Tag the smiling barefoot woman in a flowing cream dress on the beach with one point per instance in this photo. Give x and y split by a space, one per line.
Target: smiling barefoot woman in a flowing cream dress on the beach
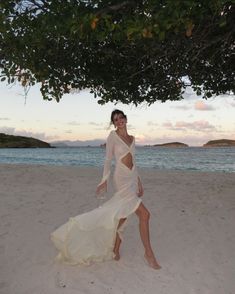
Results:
96 235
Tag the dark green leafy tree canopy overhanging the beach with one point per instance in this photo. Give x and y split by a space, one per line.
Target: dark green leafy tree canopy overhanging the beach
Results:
127 51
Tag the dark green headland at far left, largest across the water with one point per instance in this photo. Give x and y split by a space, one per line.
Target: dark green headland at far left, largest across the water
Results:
10 141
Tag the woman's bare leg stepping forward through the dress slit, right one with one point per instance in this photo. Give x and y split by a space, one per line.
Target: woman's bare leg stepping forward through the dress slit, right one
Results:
144 216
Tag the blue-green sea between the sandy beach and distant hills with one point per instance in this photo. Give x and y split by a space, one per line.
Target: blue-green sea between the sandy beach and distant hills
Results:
191 158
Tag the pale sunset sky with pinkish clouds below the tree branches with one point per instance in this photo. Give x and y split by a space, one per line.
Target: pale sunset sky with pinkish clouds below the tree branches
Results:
78 116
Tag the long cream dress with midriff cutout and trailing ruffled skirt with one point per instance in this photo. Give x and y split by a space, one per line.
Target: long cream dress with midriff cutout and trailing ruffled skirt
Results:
90 237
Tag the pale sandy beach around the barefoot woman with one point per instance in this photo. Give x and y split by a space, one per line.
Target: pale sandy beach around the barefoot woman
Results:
192 232
